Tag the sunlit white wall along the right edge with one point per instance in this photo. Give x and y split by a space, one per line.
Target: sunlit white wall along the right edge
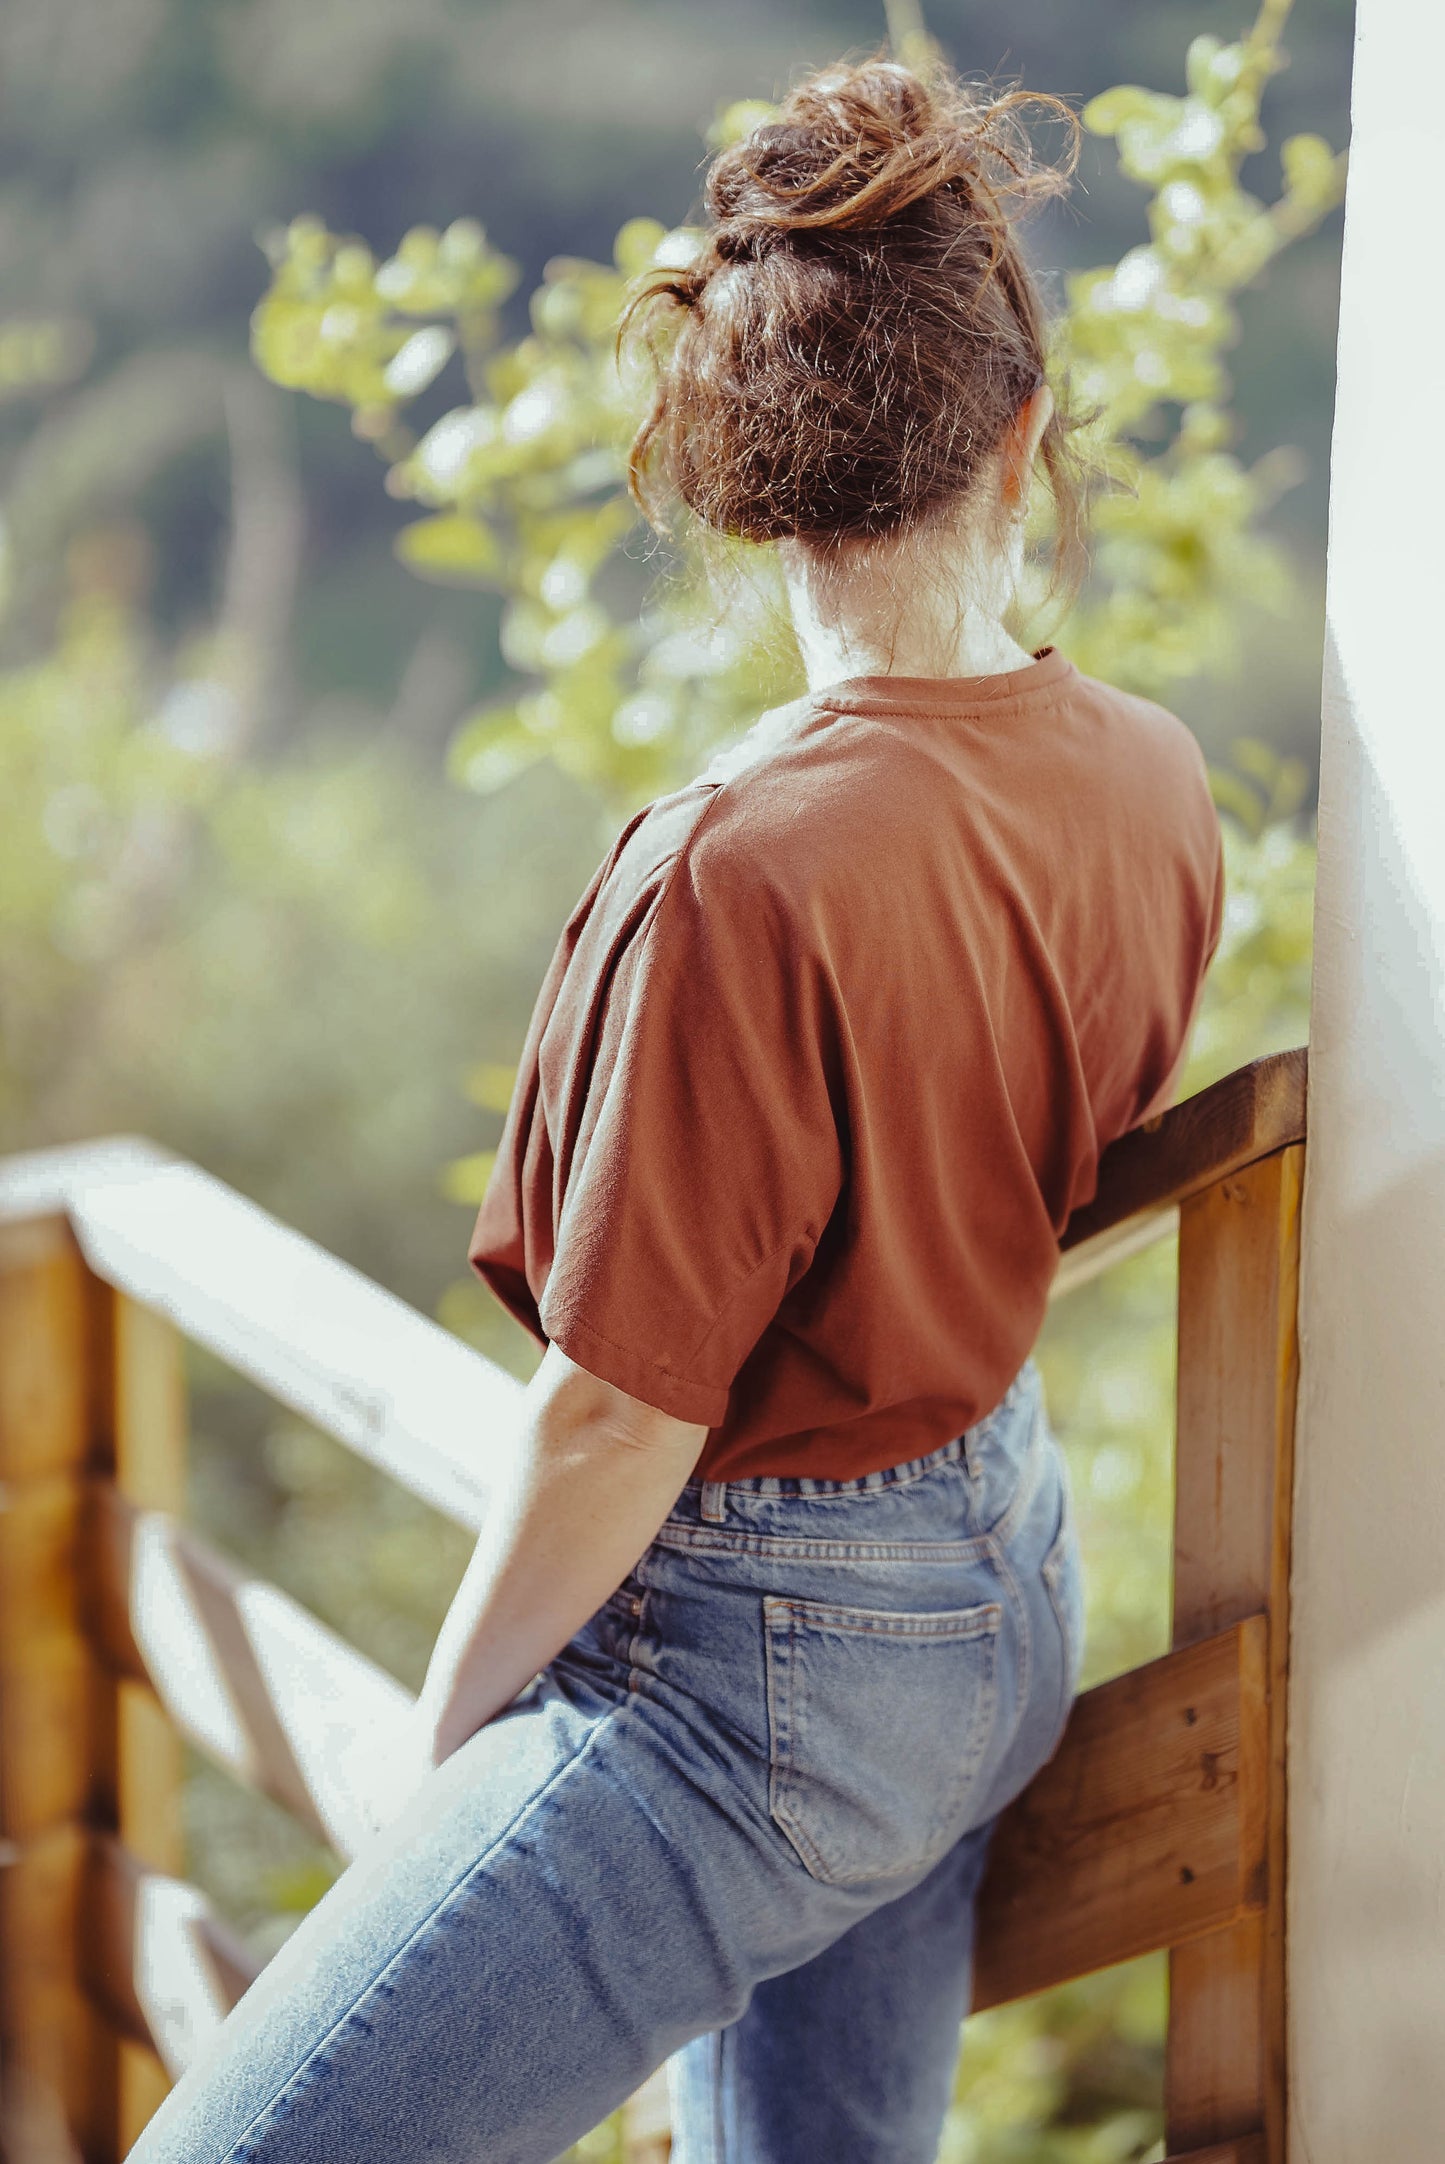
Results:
1368 1661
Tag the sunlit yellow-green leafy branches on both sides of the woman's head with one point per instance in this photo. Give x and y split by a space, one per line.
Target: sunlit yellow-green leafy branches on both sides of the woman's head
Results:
525 481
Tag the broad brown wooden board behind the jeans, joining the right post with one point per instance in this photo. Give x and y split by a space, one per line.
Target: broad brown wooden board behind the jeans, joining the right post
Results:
1143 1830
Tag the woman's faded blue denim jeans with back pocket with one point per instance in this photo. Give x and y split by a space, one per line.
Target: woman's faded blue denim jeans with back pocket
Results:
737 1825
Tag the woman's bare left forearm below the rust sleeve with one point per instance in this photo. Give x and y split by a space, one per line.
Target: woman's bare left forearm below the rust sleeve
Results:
587 1483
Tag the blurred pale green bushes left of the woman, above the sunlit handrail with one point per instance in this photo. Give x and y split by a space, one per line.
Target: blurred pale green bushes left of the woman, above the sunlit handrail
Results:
278 966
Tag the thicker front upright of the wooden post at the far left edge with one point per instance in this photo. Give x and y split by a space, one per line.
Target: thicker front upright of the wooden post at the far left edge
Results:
57 1704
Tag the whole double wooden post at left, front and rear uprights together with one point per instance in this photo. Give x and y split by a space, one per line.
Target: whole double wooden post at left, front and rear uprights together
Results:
90 1390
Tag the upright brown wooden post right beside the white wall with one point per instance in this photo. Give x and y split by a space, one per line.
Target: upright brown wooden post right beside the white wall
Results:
1238 1362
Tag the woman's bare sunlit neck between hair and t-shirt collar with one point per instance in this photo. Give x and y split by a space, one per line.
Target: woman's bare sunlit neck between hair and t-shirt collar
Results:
901 613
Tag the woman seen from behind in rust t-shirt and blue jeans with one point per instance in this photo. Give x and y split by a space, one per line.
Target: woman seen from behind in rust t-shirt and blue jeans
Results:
780 1598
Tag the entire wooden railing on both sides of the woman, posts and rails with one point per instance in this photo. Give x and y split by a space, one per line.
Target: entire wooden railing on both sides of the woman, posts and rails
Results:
1156 1825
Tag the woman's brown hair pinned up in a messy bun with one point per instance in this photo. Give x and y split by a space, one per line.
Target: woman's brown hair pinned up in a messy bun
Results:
860 328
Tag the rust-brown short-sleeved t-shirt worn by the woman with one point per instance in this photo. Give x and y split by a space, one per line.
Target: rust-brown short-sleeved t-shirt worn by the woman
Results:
830 1051
